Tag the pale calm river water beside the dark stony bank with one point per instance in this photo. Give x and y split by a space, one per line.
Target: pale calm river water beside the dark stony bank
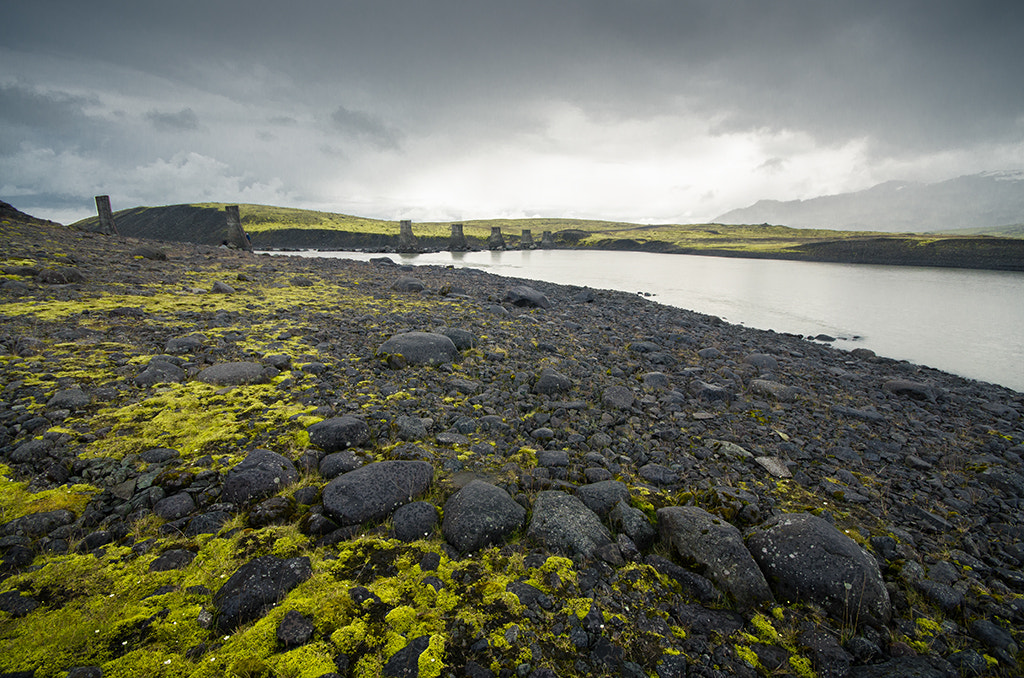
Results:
969 323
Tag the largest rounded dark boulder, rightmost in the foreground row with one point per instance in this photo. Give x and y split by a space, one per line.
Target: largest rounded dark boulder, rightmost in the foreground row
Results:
807 559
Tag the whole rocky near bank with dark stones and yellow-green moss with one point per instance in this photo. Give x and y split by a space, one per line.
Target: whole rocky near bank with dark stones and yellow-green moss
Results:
215 463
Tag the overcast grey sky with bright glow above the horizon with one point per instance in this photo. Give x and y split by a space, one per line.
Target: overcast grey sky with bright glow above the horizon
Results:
671 111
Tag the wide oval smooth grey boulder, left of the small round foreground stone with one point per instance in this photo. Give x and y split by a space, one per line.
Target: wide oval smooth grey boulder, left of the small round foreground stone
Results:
374 491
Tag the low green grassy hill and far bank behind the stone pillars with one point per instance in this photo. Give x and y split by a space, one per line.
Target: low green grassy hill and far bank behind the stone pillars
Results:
282 228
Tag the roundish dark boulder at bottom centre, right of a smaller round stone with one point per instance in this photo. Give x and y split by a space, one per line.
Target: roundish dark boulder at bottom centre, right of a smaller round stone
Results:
481 515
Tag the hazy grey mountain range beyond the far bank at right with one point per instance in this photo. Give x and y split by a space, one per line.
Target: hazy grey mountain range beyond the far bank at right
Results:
990 203
